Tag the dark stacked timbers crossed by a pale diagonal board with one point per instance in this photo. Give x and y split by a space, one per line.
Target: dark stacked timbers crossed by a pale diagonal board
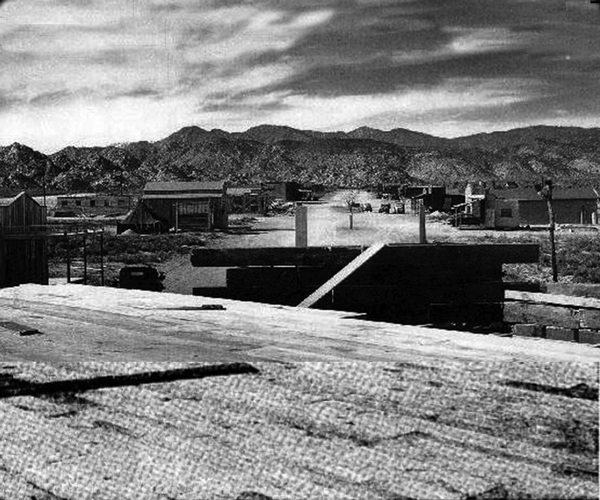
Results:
411 284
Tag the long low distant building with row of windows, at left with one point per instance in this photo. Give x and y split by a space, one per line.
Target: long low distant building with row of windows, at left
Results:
91 204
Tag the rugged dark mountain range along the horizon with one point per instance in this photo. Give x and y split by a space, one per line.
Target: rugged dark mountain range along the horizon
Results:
363 157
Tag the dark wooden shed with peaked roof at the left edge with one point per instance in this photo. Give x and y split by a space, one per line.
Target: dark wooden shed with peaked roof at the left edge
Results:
23 244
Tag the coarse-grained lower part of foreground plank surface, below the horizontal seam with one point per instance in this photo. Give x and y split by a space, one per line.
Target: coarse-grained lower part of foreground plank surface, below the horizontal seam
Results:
422 429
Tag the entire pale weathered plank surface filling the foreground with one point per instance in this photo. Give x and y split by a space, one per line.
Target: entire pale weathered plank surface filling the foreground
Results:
341 408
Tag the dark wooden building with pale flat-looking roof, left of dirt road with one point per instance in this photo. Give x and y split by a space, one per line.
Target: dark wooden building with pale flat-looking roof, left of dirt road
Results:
188 206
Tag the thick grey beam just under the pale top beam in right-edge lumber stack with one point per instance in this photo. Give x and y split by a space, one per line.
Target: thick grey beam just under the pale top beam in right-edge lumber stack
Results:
542 314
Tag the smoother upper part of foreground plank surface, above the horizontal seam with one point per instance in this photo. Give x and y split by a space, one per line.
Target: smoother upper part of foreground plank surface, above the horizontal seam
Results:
81 323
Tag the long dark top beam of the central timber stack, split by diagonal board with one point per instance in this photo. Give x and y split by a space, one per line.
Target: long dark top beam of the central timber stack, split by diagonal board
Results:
392 253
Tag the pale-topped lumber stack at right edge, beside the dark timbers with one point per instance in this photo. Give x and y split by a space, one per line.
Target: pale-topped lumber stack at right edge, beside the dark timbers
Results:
553 316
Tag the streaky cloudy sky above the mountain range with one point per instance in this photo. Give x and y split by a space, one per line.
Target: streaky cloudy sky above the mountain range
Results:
94 72
